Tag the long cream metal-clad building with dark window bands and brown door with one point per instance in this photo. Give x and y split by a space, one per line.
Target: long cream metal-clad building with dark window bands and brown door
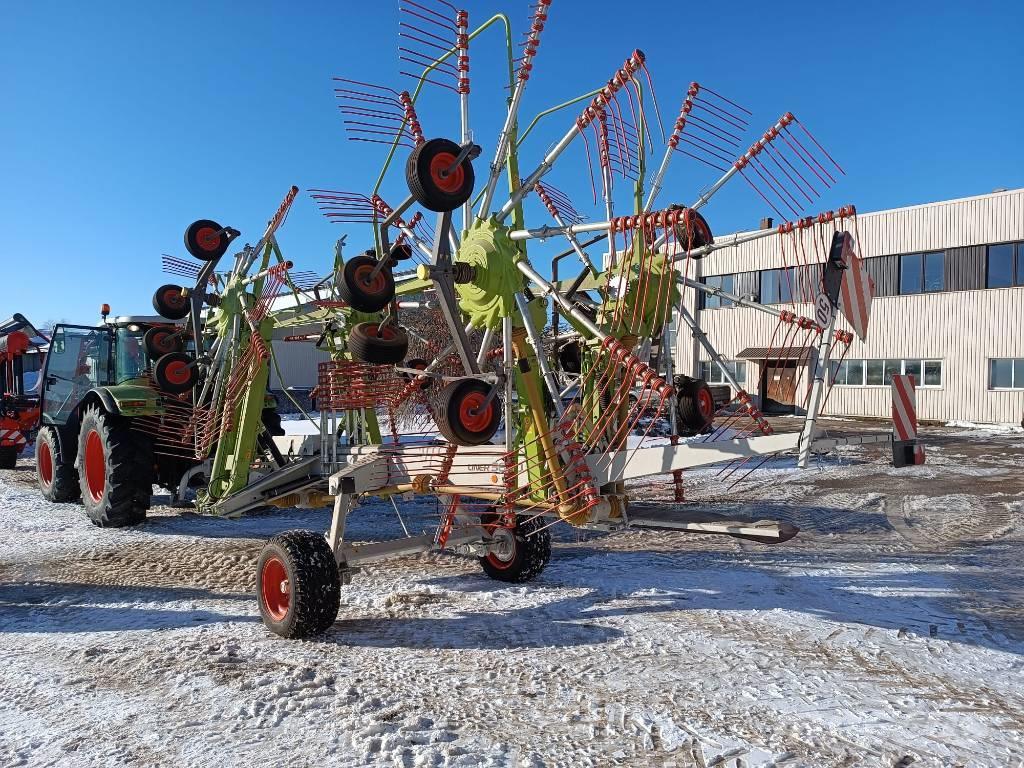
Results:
950 300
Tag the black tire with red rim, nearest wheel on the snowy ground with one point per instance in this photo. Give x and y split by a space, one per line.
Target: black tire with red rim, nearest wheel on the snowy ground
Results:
314 583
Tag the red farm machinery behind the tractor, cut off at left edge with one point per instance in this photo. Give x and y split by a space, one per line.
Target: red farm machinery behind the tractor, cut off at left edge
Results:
19 408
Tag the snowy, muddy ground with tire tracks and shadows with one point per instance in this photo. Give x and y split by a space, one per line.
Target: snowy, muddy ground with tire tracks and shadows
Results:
890 632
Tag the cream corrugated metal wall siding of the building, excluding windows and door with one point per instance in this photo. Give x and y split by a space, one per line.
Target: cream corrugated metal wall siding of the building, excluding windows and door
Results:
962 327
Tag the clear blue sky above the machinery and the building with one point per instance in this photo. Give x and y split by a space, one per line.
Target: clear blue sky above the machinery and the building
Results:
124 122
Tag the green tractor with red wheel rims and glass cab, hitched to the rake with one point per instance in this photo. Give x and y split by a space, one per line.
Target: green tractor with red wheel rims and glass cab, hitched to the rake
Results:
95 387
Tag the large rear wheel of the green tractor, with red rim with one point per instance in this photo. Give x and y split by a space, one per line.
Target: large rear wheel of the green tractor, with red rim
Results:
117 490
